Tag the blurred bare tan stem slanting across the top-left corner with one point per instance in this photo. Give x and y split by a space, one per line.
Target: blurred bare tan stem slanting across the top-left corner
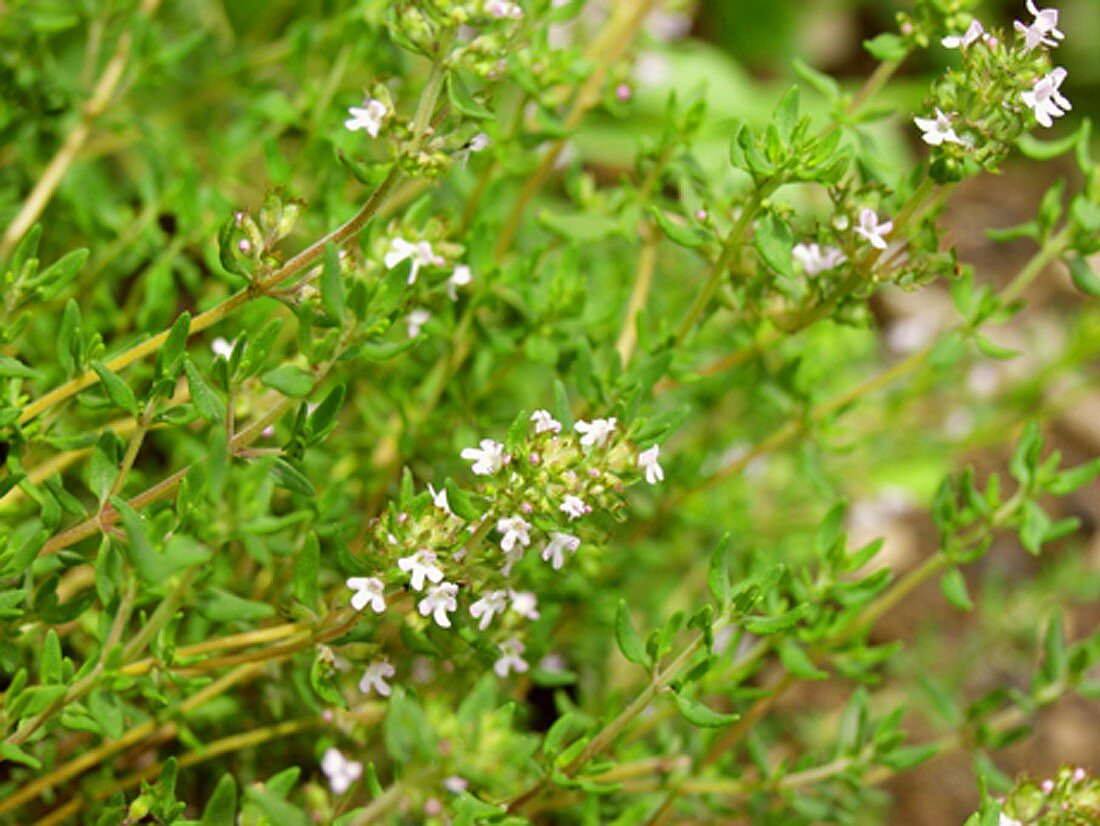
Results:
75 140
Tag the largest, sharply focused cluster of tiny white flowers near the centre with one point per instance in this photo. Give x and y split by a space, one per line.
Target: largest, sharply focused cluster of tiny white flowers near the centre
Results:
567 478
